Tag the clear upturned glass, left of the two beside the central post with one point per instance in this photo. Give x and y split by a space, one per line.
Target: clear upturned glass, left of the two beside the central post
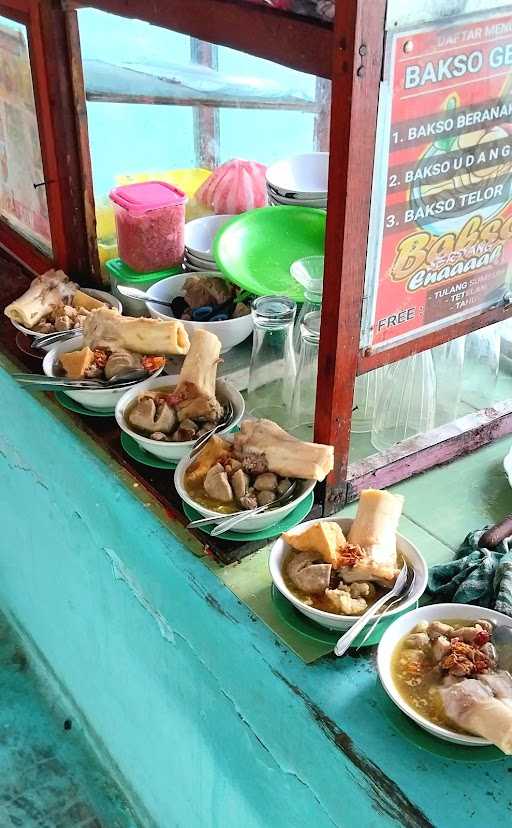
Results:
273 368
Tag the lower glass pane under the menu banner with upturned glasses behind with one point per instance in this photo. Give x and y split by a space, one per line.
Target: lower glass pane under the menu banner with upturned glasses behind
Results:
433 389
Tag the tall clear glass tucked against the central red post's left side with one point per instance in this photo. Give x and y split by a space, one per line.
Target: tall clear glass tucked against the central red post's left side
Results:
304 392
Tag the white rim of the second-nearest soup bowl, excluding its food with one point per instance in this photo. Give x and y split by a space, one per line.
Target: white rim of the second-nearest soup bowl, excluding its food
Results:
332 620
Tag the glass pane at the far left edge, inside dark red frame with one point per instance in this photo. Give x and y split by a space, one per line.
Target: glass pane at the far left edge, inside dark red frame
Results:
22 204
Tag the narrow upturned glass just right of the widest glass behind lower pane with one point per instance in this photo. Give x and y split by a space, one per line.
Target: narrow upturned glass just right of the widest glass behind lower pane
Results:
449 367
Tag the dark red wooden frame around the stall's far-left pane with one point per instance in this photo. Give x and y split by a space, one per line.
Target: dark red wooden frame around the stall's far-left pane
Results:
62 173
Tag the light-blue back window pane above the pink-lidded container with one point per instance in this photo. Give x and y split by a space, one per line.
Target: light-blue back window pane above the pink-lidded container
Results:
163 105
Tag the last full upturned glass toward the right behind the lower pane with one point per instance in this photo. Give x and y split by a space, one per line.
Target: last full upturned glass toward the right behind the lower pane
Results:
481 366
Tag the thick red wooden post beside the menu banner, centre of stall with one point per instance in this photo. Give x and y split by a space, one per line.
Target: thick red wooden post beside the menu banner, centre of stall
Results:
356 73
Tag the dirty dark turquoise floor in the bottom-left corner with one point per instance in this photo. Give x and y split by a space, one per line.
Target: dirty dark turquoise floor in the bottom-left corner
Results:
48 777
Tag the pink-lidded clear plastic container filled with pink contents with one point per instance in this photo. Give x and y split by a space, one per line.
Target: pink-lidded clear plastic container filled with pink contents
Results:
150 223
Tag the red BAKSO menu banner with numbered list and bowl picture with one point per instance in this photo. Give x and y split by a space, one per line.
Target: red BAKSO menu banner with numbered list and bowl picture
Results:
445 233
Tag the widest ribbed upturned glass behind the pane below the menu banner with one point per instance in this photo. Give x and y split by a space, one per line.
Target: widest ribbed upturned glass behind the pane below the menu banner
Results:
406 402
